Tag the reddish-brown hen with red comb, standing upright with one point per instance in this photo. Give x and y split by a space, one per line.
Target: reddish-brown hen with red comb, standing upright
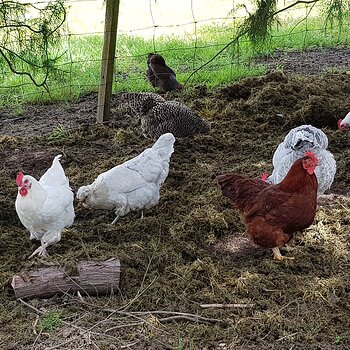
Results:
273 213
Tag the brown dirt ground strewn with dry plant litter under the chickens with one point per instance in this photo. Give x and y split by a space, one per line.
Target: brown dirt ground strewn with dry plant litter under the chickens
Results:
191 248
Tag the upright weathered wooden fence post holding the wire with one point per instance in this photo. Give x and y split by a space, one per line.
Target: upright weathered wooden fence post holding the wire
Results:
108 54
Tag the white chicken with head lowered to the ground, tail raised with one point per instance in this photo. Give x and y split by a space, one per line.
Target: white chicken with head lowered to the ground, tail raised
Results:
133 185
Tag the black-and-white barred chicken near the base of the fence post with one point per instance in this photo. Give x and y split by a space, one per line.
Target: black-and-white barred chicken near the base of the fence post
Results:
159 116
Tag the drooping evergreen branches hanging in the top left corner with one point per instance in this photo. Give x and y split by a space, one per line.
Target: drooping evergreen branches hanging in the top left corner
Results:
29 36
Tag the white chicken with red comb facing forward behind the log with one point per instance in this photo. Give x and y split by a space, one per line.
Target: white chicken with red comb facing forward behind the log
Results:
45 207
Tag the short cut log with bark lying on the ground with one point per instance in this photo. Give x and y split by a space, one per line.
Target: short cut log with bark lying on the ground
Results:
93 278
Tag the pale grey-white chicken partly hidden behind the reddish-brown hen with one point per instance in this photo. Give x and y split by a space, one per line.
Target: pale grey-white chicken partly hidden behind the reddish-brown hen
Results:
299 140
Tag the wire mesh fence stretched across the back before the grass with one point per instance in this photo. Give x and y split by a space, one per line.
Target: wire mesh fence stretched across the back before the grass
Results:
188 34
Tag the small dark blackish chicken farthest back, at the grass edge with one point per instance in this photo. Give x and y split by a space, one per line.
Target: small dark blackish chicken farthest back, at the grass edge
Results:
160 75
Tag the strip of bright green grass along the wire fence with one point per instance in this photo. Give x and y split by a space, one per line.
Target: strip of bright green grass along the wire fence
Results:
79 66
